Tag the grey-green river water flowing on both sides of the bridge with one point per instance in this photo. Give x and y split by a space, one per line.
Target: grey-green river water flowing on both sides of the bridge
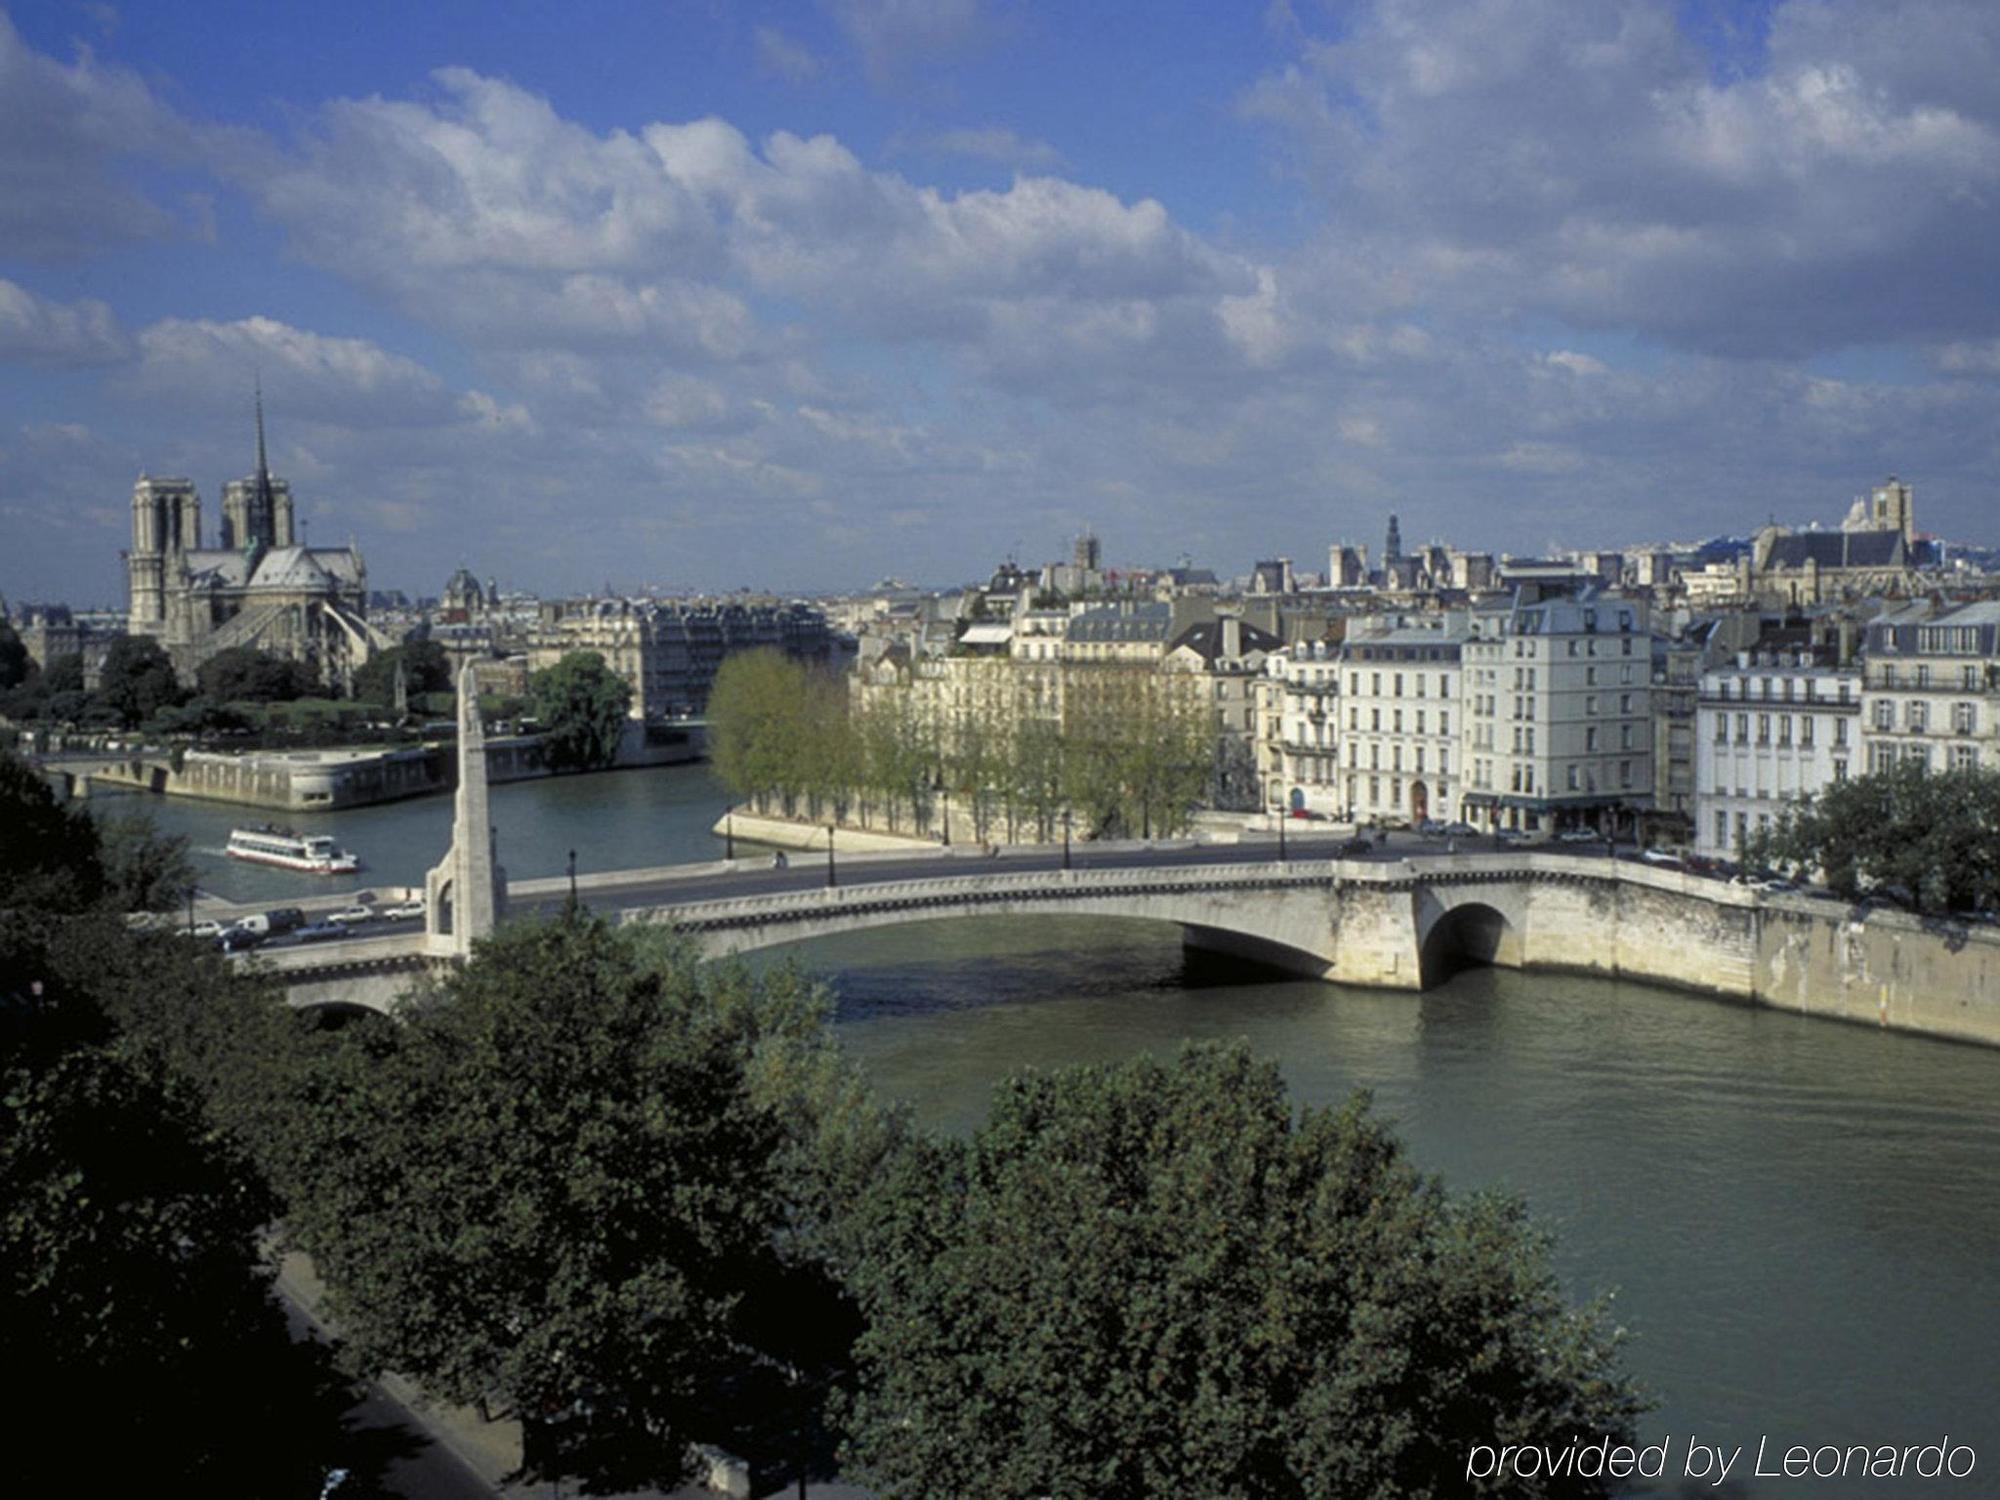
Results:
1801 1221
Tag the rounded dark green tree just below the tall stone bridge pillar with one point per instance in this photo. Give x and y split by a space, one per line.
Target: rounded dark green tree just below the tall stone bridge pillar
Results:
563 1187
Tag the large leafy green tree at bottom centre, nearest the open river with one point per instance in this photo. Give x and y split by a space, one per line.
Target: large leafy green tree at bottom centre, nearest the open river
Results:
1153 1281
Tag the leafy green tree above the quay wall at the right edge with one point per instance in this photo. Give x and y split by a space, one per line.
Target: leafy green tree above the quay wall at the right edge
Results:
1935 837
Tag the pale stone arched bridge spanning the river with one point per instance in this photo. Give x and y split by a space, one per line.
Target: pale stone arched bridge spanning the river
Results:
1379 923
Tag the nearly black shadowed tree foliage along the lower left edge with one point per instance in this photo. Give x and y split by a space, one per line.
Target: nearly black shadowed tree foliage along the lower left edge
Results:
131 1277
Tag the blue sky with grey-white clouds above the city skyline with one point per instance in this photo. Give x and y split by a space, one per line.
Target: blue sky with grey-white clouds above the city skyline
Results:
689 295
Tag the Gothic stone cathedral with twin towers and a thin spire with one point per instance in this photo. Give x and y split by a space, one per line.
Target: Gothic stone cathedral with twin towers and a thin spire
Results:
257 589
